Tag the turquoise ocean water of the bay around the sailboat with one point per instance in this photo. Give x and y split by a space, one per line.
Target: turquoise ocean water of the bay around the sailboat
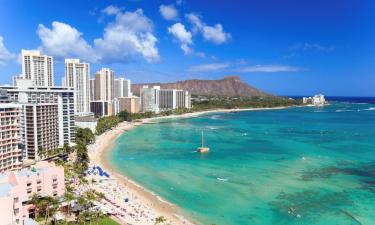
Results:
294 166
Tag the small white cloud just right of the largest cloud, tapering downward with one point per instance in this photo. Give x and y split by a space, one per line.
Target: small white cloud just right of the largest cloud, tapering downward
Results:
183 36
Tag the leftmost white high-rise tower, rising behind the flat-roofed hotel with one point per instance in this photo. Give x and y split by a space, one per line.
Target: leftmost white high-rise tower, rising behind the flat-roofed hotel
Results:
37 68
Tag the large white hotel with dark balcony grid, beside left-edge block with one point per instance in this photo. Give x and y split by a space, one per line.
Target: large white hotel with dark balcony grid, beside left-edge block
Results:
47 117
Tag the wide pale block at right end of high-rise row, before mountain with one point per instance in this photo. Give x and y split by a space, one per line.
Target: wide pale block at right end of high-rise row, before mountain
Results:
174 99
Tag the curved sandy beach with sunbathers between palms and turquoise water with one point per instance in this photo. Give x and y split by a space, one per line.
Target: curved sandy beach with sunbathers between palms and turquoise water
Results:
132 203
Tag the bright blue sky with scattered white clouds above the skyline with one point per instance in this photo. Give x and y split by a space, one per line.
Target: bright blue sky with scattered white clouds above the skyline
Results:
289 47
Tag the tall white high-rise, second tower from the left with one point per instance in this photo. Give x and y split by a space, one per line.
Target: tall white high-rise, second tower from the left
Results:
77 75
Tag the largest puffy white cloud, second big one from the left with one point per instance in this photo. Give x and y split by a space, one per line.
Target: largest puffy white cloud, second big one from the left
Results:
129 36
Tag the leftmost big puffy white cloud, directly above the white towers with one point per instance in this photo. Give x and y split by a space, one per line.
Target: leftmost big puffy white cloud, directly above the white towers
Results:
63 41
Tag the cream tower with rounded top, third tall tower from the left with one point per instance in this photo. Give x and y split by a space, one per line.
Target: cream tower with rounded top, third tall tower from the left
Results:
104 82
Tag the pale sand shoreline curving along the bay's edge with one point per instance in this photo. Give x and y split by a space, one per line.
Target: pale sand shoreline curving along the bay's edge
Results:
149 204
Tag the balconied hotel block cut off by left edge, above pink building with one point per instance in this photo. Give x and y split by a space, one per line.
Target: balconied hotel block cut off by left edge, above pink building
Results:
10 153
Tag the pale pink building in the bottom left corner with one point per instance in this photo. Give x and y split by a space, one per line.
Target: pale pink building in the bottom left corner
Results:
16 189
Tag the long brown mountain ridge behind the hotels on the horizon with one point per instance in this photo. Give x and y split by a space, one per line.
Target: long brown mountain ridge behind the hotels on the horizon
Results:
228 86
